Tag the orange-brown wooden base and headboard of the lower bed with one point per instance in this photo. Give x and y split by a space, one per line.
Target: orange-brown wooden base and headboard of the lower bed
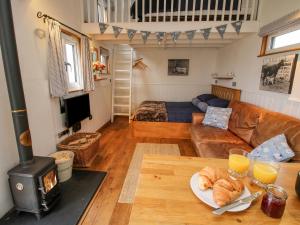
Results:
179 130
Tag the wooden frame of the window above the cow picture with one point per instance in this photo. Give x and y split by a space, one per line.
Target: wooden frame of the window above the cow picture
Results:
268 39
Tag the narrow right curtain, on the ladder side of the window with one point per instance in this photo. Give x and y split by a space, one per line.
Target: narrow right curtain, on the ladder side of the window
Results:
87 71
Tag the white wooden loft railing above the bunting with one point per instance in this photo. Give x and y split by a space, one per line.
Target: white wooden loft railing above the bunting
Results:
132 11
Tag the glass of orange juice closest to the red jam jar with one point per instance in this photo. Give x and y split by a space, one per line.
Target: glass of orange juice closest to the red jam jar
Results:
265 172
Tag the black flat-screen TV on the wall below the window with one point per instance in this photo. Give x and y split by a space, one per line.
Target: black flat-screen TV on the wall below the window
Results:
77 108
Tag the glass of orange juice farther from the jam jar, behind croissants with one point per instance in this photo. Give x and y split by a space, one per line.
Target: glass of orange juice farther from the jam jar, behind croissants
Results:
238 163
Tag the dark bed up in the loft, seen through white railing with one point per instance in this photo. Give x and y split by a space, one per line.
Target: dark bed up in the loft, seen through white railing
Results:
166 11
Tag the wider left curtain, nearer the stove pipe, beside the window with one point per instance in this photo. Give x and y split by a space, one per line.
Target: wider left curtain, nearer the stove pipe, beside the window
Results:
58 83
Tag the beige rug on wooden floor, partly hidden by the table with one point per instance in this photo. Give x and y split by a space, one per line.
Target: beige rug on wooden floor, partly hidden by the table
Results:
131 180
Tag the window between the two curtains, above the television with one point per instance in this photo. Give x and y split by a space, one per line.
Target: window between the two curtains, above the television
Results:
72 62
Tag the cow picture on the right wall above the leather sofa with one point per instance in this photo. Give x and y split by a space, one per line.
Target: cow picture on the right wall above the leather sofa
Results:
277 73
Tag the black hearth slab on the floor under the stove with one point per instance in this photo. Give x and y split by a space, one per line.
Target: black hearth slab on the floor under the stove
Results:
76 195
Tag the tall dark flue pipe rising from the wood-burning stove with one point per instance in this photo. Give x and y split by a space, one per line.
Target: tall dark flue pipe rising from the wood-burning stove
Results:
14 83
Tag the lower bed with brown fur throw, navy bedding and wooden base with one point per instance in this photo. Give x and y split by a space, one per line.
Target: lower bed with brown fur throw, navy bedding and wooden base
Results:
172 119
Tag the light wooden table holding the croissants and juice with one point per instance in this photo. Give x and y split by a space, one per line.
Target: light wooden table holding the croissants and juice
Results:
164 195
